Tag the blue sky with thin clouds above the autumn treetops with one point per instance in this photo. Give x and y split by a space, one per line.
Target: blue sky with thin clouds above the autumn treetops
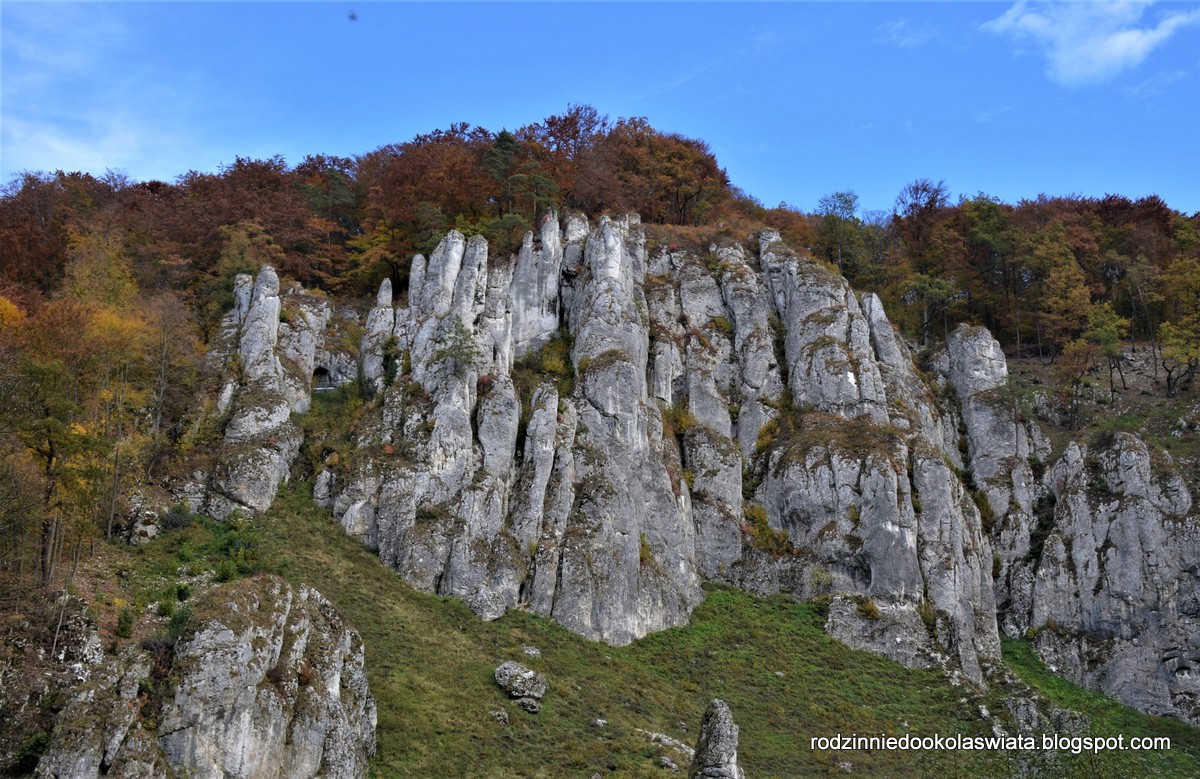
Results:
796 99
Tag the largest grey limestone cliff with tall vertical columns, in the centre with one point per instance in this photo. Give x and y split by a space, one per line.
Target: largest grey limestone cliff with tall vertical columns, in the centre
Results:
603 502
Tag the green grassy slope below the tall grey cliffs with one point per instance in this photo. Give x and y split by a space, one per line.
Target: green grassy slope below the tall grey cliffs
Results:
431 664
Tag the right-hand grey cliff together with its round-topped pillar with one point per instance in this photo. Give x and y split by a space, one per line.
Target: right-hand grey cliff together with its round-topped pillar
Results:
1096 556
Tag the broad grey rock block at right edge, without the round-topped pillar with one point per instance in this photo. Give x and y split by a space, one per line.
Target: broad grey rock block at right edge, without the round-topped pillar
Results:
1114 600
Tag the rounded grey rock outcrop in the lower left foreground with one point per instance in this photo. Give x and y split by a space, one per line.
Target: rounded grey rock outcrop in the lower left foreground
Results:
267 682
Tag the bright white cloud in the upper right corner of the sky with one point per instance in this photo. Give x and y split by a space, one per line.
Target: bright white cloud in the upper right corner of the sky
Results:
1091 43
